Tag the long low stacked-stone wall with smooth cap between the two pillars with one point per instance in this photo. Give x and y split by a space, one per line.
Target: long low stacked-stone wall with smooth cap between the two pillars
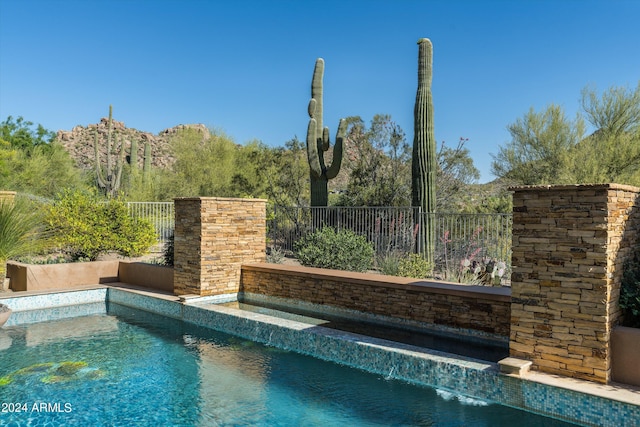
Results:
479 308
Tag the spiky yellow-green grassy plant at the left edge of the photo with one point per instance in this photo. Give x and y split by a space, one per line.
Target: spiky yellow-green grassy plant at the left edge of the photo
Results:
21 231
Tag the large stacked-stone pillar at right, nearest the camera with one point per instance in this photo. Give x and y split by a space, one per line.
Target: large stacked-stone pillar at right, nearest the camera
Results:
569 246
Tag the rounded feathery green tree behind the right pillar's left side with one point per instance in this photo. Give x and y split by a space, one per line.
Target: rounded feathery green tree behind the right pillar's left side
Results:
539 148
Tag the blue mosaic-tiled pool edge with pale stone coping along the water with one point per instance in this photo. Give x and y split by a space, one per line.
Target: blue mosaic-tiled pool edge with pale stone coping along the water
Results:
538 393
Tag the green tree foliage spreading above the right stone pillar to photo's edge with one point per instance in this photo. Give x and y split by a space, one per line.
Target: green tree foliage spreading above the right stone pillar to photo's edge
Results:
547 148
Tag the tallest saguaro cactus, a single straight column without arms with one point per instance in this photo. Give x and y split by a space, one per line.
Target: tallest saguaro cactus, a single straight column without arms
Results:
423 168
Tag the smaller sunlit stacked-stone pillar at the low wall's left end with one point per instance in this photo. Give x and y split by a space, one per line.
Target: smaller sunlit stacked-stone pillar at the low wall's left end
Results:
213 237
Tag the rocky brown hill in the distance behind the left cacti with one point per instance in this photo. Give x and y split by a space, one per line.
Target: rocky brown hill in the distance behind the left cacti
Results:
79 142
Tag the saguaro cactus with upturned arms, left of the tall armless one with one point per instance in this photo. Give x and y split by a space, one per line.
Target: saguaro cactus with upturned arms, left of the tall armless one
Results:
318 142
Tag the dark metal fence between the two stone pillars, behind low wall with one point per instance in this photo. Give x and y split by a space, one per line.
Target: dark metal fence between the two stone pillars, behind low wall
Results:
393 229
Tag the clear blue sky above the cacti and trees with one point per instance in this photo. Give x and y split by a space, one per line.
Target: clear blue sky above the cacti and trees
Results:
245 66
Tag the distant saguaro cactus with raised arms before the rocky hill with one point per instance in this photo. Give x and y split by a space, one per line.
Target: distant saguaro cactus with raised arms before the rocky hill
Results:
109 179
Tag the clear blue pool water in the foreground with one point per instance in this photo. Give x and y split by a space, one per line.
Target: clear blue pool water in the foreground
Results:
134 368
